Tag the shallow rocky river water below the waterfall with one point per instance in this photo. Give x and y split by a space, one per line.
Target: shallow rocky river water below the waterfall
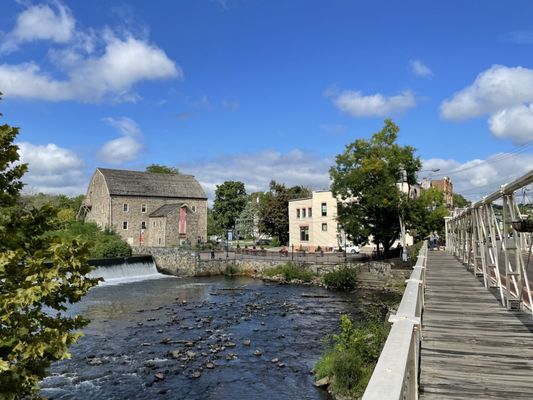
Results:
201 338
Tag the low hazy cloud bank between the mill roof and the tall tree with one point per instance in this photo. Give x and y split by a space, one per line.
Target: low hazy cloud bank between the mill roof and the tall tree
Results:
257 170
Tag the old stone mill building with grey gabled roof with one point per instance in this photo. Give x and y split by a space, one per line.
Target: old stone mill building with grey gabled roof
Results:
147 209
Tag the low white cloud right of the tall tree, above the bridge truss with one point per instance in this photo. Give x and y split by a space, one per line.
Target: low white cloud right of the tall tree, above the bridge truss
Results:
477 178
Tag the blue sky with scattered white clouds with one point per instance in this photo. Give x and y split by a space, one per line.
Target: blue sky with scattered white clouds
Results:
261 90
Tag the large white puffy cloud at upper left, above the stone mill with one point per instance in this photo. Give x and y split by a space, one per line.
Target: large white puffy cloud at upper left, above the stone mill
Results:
123 63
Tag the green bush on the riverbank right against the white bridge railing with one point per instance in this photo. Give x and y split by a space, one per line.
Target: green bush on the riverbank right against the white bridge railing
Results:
352 355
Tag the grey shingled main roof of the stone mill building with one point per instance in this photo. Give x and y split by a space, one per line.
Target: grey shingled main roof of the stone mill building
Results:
135 183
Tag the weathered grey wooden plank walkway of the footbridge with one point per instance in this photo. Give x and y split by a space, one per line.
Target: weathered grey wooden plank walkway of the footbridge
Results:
472 347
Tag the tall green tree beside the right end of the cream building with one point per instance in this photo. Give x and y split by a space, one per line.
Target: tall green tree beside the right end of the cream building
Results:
366 178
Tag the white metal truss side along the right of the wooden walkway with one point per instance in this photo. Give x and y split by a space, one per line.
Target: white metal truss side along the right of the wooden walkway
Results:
496 249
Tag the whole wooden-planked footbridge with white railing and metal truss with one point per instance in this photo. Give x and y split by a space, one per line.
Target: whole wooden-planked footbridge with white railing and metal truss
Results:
464 327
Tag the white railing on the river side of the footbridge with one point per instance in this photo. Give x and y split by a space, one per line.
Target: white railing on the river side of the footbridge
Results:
396 374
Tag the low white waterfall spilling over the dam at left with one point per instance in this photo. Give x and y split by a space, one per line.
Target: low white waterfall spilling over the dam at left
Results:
124 270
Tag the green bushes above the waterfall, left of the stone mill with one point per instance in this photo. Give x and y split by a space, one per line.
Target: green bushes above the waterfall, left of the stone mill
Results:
102 244
